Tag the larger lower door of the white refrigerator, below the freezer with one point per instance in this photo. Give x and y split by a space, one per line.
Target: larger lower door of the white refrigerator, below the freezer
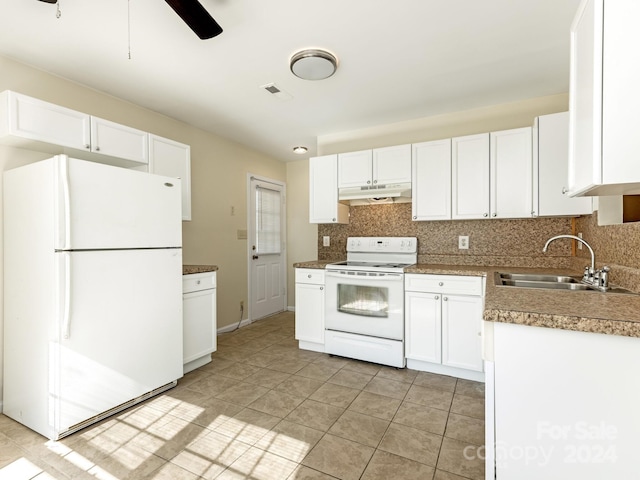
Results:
123 330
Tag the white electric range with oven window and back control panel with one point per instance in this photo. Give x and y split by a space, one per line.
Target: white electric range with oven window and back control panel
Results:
364 299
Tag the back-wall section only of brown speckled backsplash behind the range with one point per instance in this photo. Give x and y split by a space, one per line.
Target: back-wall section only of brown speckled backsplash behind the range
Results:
515 242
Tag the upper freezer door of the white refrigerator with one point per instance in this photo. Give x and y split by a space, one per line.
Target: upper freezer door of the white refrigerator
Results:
105 207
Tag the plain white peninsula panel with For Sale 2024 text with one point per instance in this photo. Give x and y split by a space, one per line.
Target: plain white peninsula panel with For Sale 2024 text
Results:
560 404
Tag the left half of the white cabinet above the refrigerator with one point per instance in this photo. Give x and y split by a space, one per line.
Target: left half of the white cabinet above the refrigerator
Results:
25 120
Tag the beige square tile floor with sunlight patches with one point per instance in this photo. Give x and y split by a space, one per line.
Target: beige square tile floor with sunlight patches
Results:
265 410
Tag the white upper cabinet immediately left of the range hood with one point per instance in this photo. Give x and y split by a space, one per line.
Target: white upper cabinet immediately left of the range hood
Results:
323 191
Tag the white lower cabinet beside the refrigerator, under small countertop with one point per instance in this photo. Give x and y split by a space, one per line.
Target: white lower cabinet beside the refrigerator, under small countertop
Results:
199 319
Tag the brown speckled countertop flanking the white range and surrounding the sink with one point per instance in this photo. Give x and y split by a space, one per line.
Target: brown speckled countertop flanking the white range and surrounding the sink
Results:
584 311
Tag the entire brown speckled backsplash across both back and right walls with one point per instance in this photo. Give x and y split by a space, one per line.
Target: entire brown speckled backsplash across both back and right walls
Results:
495 242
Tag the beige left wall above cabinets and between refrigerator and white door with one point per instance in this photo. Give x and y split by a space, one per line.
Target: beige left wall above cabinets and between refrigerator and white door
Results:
218 168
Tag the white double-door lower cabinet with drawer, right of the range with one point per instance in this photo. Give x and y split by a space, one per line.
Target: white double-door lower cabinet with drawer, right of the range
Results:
443 323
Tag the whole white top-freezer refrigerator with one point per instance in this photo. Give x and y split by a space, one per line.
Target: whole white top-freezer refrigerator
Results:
92 291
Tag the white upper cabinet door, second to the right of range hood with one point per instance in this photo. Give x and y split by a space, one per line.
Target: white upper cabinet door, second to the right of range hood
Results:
470 176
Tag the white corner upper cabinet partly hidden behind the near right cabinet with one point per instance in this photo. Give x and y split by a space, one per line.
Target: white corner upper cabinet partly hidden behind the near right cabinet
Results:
550 165
